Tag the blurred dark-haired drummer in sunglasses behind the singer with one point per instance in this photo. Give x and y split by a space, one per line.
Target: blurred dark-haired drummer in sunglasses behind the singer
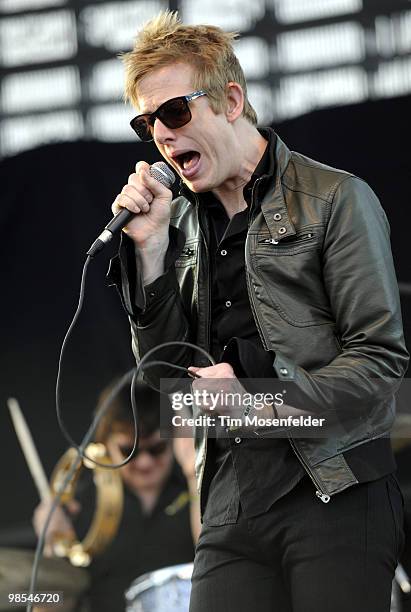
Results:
160 521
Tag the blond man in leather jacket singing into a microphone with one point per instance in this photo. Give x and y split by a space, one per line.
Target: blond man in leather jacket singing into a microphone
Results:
281 267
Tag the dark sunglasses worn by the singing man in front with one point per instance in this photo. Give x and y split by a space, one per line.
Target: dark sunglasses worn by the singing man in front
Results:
174 114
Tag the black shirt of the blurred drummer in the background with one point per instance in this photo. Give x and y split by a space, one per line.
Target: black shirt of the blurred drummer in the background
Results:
144 542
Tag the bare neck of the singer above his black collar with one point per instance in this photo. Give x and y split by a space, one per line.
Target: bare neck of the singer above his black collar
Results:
252 145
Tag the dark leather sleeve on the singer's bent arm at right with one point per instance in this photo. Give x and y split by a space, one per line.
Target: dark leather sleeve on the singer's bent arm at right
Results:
359 277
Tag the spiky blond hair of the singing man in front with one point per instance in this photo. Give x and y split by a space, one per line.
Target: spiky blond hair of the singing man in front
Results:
165 40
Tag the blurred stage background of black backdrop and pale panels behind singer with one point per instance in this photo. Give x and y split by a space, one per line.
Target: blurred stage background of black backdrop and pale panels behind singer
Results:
328 75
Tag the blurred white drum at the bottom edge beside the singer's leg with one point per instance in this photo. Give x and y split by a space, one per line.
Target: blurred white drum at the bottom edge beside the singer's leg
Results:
165 590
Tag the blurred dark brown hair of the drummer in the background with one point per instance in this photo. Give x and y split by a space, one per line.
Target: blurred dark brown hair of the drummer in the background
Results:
119 416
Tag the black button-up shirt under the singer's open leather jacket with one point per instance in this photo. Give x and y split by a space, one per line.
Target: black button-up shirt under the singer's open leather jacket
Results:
247 471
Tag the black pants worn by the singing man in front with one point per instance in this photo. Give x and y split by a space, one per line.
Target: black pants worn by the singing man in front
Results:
303 555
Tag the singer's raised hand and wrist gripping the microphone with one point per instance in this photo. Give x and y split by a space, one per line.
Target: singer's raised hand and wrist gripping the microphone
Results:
150 201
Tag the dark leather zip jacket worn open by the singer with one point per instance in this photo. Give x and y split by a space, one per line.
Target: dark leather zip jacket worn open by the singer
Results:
324 295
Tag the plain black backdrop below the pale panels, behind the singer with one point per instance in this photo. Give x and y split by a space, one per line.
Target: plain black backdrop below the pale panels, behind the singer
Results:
55 200
